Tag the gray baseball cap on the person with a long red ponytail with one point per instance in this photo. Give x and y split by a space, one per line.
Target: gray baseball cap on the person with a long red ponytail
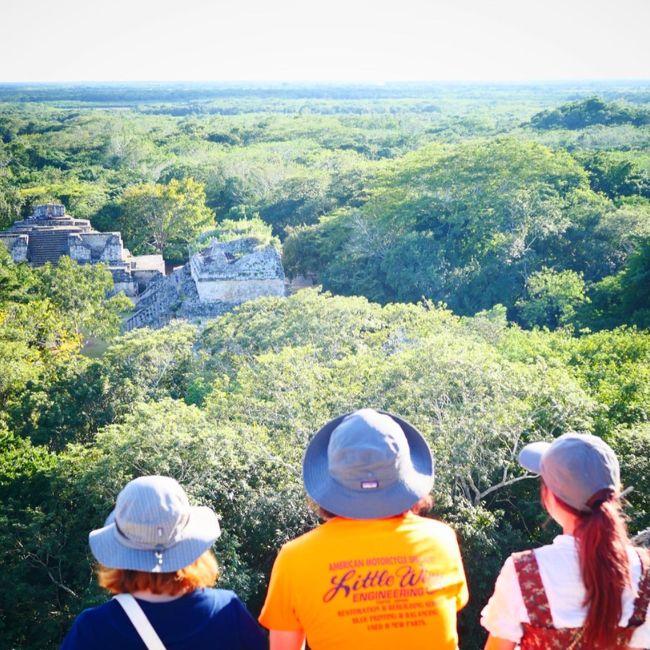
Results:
574 467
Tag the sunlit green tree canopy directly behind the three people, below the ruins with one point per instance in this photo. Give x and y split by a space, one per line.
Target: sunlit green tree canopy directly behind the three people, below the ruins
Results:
228 411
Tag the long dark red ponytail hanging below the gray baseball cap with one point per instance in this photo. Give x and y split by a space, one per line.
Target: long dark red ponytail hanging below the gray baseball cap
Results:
602 540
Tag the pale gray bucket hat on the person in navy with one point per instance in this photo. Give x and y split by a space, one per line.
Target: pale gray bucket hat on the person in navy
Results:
153 528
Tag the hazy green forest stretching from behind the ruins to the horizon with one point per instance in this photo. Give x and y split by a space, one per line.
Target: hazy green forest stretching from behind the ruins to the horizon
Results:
469 203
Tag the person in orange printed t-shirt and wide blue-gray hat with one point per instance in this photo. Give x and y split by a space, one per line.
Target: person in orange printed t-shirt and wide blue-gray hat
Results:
375 574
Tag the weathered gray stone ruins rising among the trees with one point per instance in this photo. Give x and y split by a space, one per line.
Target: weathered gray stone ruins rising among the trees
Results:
217 278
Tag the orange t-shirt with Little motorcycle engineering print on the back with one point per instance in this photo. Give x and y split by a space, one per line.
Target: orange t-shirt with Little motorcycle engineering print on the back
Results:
378 583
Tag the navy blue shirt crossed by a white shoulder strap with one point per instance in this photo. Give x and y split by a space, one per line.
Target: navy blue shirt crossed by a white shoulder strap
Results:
213 619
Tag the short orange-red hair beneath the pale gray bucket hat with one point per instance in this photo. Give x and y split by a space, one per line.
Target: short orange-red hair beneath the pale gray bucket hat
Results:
203 572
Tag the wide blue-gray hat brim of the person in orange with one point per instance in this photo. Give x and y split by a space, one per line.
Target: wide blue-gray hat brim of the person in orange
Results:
374 503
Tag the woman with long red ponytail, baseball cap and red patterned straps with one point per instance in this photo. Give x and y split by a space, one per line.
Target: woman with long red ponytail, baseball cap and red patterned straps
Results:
590 589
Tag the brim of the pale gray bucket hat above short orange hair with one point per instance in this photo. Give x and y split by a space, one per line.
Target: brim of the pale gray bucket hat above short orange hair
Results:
200 533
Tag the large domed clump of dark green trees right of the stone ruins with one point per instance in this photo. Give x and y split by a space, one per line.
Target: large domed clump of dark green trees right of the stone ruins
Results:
469 225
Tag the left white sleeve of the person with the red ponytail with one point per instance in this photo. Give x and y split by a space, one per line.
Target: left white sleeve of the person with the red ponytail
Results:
503 615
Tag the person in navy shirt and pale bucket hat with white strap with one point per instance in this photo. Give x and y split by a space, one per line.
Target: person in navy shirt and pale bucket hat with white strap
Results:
154 555
